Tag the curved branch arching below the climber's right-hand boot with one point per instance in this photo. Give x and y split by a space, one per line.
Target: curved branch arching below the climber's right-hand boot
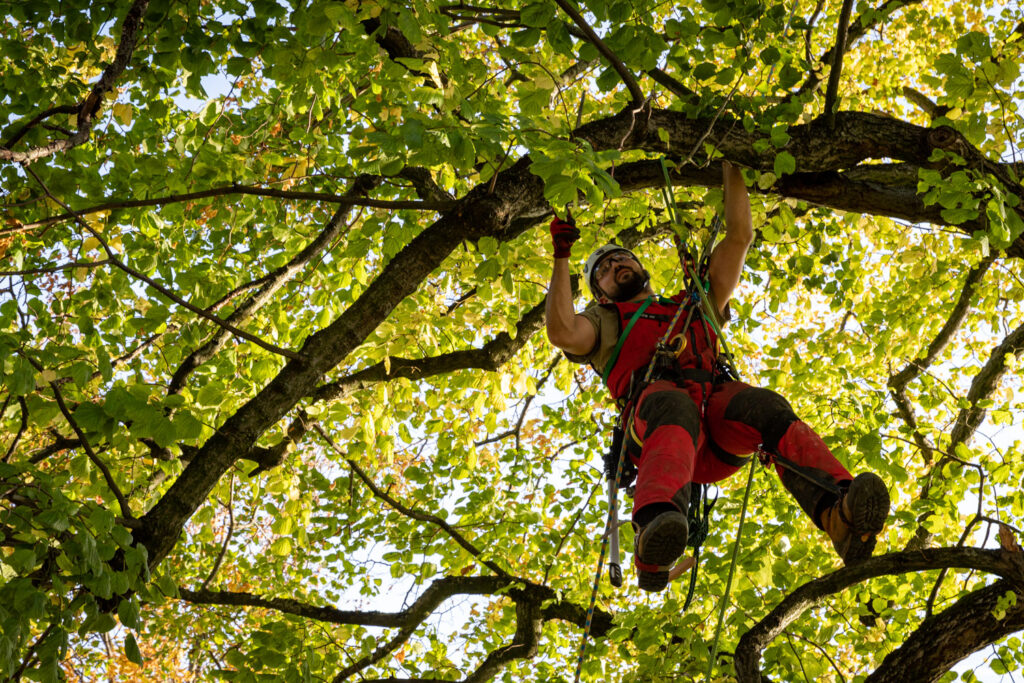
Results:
748 656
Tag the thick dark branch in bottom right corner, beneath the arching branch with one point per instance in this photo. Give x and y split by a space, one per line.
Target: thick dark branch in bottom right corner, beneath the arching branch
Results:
941 642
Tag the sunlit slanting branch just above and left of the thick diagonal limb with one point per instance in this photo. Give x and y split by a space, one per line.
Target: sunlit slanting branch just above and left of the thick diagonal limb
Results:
269 285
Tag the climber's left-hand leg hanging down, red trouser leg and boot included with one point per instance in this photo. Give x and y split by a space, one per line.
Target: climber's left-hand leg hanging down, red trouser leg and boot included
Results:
667 423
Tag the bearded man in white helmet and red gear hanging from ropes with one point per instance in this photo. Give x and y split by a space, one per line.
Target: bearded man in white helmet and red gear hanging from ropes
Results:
693 423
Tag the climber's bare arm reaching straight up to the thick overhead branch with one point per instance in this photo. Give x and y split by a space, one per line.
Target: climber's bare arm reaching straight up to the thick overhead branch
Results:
727 263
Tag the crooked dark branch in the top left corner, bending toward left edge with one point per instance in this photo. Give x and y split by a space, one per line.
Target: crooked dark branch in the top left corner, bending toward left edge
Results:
91 106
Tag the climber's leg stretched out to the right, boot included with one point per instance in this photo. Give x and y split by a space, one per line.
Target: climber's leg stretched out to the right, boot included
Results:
851 510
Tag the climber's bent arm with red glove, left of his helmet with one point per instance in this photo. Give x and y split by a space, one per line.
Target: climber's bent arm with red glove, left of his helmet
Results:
568 331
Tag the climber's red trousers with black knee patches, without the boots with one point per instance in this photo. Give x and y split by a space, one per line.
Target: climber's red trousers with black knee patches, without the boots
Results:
681 428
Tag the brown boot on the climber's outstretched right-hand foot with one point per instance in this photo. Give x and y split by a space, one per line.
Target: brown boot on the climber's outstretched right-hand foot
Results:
858 518
